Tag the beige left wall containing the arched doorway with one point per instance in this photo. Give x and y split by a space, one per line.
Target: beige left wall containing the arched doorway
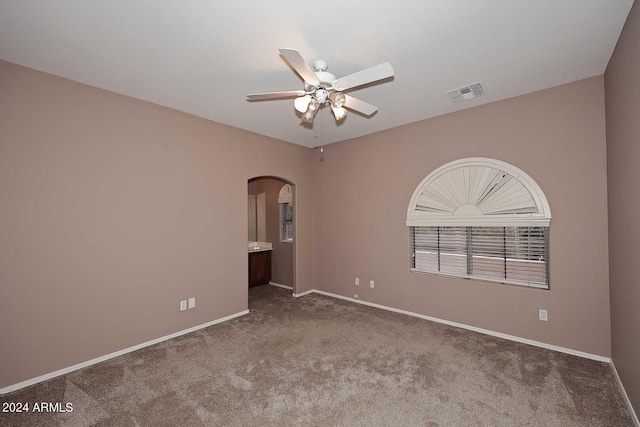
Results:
112 210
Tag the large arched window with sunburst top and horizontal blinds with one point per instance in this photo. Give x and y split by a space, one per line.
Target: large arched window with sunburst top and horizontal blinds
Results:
481 219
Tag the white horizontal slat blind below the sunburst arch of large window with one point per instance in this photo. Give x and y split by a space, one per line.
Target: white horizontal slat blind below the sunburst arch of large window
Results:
515 255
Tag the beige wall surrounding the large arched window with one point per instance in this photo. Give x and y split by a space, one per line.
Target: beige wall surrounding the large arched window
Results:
557 136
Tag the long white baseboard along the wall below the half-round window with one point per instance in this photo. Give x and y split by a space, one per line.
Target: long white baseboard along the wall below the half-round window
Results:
468 327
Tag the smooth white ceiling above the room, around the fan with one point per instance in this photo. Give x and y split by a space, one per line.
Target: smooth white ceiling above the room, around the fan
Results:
202 57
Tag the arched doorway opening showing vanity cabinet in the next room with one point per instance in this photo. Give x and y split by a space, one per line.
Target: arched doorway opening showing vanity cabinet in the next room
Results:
271 237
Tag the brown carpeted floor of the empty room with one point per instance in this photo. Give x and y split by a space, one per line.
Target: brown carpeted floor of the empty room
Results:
320 361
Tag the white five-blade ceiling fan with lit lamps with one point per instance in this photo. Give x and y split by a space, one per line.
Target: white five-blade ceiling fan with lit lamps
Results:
322 88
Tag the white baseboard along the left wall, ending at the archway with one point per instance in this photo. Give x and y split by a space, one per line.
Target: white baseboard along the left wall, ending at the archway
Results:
63 371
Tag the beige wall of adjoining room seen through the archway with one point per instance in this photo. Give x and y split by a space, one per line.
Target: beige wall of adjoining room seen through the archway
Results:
282 255
